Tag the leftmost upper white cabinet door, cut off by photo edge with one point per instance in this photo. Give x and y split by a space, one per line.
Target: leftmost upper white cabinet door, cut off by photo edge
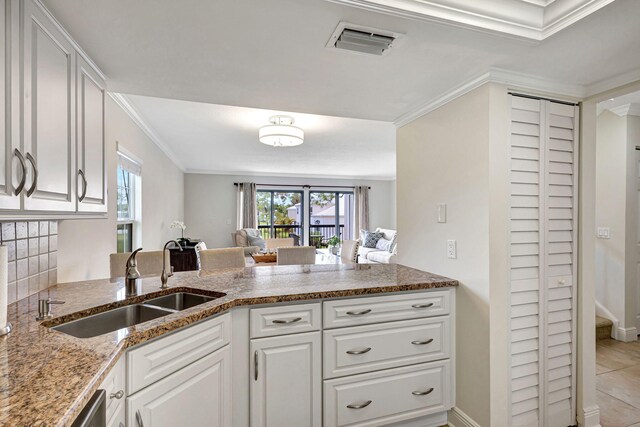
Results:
8 82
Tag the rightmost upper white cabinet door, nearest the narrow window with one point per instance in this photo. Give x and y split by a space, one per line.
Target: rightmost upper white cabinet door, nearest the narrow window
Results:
91 145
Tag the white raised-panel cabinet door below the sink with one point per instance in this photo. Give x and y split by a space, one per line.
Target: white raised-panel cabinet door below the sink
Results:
198 395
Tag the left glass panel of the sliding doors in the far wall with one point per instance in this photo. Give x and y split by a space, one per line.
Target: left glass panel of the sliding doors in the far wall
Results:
280 213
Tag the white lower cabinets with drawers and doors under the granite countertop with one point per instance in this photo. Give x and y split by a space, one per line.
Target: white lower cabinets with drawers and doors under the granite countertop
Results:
363 373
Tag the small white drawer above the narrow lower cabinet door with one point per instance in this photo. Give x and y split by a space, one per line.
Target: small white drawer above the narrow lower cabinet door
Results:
288 319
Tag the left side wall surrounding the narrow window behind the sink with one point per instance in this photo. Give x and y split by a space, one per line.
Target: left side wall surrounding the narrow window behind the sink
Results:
84 245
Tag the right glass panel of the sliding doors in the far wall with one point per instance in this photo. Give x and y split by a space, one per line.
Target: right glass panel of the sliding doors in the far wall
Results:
330 214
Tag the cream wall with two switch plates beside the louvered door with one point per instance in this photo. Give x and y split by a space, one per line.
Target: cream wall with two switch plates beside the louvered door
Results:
443 157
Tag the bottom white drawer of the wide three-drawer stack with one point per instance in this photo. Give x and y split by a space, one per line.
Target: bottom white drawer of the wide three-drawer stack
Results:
389 396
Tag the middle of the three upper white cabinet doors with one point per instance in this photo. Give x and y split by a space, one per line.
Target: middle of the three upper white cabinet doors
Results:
49 115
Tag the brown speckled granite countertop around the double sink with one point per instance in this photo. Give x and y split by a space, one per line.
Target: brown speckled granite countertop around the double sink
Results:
46 376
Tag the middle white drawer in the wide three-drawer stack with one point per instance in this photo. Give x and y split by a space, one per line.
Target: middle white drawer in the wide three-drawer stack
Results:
368 348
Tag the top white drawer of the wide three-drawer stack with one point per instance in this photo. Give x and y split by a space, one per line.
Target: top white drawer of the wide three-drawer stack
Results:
360 311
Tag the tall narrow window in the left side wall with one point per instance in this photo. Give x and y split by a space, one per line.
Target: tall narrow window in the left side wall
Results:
128 177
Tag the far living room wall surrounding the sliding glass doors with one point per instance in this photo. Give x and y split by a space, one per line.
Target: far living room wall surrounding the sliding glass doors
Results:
210 203
